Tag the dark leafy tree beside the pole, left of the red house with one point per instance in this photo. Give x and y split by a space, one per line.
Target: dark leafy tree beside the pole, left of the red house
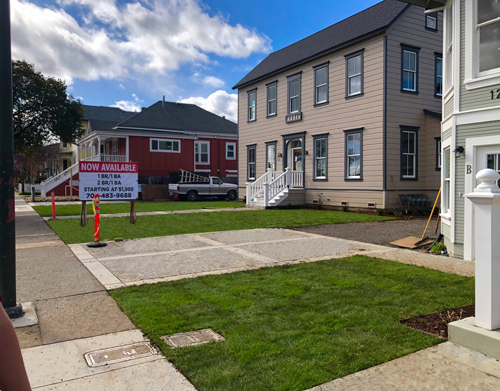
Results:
43 112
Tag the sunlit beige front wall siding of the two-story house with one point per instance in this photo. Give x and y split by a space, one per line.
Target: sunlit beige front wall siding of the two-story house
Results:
340 114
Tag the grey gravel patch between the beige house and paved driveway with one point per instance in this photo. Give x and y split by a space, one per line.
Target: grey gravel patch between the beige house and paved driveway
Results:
378 232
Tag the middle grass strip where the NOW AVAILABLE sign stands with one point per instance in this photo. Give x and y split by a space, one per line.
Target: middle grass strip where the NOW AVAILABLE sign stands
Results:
111 228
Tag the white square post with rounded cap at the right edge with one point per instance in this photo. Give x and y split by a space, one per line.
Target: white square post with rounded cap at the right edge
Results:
486 204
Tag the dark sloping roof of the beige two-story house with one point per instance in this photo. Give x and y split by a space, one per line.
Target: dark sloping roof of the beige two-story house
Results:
359 26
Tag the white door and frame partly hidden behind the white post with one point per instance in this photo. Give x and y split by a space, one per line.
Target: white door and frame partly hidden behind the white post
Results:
481 153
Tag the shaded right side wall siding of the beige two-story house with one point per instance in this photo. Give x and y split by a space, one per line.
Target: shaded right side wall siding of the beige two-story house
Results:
407 109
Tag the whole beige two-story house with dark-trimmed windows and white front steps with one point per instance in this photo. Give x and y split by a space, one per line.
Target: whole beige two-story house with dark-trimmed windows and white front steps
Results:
347 116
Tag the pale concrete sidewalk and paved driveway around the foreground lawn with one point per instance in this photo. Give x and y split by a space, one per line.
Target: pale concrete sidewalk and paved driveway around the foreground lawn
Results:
76 316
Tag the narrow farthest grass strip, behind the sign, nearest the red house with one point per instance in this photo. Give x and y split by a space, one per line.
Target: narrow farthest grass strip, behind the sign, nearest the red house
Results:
124 207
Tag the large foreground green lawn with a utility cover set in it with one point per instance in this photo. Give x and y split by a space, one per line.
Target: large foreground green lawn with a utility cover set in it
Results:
294 327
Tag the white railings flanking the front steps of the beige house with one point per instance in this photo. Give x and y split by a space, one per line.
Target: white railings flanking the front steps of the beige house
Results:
272 185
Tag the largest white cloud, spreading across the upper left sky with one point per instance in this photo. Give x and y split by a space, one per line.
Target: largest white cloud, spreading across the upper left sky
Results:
117 39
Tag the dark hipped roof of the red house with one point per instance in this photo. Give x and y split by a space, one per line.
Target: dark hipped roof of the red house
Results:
180 116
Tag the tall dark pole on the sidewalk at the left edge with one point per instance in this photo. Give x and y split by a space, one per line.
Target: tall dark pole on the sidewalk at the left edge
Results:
7 210
